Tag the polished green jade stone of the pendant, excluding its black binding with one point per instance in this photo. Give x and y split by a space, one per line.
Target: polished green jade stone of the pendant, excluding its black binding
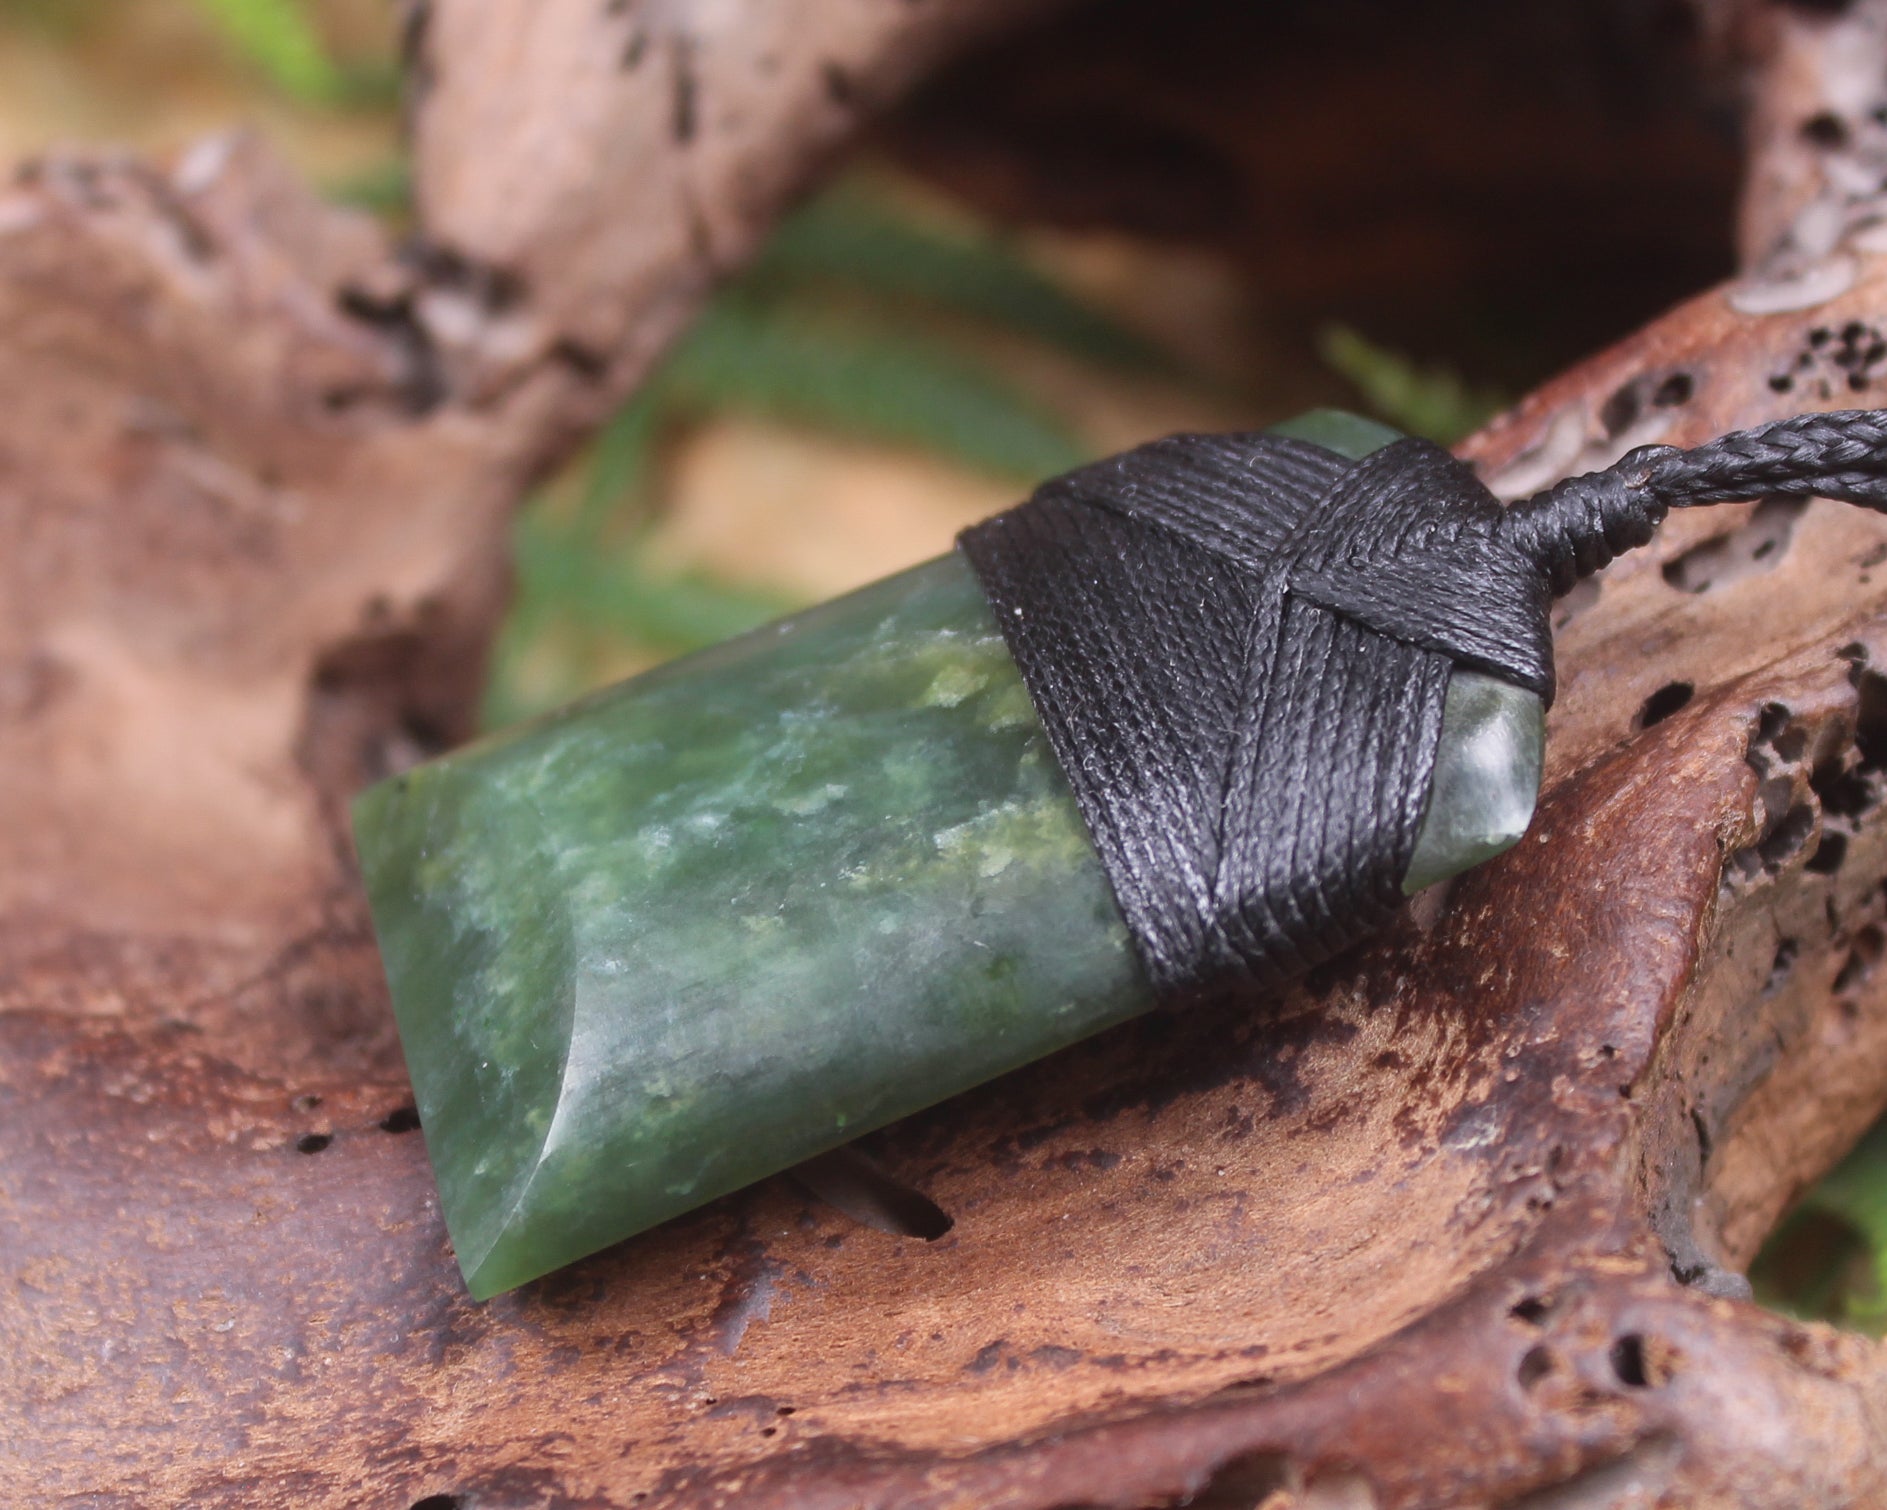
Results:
748 907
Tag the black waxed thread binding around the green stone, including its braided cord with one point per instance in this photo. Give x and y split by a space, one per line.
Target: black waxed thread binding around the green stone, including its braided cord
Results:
1241 650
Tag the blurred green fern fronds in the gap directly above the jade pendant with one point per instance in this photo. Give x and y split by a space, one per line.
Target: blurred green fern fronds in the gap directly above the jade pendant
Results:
852 324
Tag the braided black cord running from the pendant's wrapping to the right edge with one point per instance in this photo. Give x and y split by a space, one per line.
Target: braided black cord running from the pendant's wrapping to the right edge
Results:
1582 524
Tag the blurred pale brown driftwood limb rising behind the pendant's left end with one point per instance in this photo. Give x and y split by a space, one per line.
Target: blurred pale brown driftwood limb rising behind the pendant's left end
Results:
258 471
